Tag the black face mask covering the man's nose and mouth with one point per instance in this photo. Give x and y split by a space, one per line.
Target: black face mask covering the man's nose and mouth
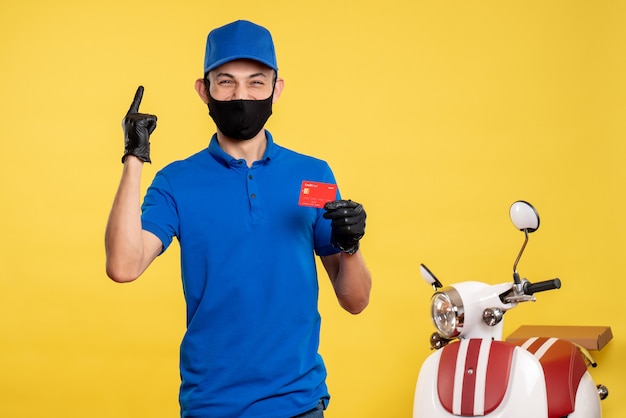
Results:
240 119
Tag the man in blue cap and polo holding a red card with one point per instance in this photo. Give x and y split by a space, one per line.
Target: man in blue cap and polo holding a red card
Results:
249 219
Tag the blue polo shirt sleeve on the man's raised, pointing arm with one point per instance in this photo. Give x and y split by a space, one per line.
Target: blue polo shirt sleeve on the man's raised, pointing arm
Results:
158 211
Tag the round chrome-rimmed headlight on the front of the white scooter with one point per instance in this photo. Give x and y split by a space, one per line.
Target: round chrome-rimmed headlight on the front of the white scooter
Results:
447 312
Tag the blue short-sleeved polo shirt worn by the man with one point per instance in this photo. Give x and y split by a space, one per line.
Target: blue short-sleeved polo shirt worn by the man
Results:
249 279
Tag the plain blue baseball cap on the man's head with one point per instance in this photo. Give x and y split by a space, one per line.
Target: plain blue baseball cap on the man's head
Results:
239 40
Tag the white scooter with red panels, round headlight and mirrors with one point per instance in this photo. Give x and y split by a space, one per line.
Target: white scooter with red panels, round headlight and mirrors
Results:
473 372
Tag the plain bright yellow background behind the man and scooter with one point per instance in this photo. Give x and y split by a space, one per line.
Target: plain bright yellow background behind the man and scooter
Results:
436 115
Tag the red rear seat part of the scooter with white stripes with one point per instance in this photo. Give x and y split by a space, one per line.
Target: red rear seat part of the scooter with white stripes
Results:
563 367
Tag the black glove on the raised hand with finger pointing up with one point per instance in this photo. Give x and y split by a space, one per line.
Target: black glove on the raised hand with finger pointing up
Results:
137 129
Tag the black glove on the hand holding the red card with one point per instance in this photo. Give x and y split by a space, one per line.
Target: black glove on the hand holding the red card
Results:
347 222
